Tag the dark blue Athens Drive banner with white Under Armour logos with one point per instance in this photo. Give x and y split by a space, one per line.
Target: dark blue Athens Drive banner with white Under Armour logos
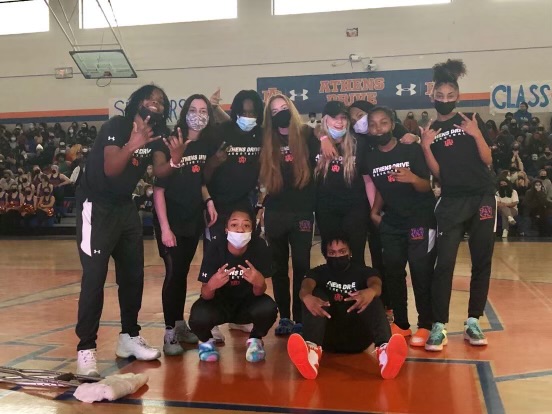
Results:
398 89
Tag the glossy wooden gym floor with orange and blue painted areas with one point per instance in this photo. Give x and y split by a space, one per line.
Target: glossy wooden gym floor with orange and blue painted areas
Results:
40 282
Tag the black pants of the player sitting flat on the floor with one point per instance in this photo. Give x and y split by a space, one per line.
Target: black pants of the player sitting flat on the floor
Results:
346 332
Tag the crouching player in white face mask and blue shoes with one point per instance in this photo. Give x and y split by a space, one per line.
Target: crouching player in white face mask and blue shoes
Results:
233 288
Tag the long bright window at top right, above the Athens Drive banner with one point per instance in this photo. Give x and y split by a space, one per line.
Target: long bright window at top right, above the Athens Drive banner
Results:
280 7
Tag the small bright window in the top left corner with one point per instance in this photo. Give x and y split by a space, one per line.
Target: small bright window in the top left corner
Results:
24 17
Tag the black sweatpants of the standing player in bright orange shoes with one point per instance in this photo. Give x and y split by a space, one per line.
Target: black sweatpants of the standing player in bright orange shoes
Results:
416 247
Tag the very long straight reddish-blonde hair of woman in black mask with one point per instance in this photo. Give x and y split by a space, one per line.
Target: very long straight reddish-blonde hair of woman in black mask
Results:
271 157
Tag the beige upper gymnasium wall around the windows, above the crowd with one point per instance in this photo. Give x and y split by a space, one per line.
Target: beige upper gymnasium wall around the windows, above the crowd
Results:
499 40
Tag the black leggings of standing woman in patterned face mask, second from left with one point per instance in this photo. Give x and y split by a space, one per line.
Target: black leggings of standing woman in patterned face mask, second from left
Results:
177 265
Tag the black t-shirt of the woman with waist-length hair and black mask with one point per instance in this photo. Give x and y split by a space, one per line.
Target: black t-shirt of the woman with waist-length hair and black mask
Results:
291 198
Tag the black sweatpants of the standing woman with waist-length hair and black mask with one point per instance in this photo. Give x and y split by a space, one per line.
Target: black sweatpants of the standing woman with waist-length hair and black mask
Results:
285 229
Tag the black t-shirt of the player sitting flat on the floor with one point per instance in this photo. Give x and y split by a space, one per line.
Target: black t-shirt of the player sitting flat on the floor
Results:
338 285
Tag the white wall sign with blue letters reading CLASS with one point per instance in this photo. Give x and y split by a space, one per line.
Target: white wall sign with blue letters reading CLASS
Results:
506 96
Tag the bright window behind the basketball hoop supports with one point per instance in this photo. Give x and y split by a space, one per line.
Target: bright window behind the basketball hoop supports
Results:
142 12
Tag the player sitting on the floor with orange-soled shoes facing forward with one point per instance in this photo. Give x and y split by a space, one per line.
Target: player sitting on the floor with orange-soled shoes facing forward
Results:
342 312
